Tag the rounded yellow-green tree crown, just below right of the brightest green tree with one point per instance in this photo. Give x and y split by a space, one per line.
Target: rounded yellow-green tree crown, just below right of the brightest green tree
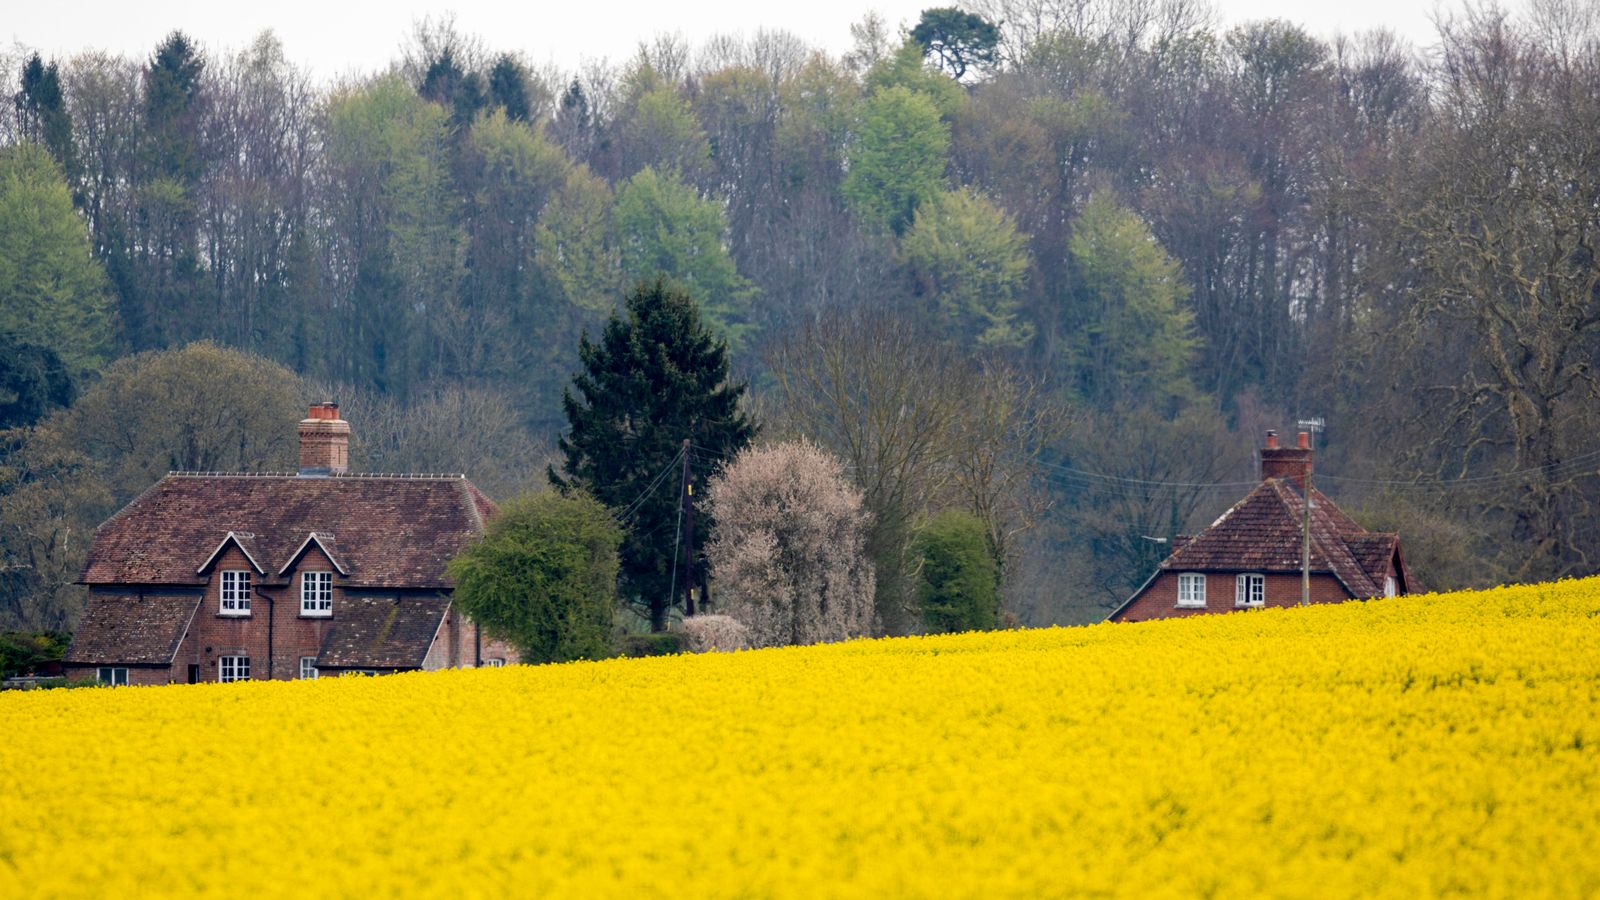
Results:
969 259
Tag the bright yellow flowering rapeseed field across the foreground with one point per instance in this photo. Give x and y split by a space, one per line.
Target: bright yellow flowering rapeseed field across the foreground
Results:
1409 749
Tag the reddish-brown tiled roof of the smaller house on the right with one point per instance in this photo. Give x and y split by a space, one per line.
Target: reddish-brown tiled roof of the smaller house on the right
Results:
1263 532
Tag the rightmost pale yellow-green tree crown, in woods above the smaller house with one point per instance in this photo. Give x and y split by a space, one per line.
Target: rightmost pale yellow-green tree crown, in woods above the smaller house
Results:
1137 335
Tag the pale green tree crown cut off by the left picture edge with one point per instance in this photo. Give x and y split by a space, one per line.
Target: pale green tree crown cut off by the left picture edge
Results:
52 289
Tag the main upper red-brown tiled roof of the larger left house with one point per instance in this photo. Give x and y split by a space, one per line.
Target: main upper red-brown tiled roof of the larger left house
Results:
388 531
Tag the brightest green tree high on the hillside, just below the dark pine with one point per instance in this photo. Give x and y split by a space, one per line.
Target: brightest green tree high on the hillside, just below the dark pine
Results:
898 161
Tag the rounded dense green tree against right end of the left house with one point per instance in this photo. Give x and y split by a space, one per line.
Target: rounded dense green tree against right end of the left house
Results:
545 577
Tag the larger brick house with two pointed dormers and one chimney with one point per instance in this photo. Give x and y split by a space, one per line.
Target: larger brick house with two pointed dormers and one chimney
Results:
233 577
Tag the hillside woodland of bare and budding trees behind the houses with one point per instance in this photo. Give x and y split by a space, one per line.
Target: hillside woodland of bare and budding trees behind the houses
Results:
1055 265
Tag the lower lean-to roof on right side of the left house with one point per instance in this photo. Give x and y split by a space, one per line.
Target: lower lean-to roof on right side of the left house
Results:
382 633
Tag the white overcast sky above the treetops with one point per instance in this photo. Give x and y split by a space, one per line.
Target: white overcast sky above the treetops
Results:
335 38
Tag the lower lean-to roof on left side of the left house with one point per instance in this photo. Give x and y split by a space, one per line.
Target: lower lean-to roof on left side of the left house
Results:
132 630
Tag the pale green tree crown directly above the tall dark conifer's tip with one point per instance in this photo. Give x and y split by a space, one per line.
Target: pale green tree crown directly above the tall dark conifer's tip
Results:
665 228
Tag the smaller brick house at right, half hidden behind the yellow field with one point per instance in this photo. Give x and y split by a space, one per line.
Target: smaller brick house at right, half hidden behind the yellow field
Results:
1252 555
